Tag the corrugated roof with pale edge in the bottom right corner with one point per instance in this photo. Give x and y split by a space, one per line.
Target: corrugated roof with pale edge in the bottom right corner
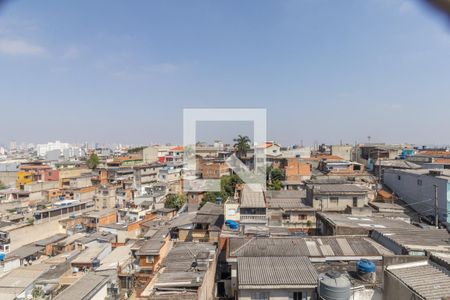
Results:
427 279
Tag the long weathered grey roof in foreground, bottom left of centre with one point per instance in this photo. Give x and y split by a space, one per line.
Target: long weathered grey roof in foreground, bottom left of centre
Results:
187 273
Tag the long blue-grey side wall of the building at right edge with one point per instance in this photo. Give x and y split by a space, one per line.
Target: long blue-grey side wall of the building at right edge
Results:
407 186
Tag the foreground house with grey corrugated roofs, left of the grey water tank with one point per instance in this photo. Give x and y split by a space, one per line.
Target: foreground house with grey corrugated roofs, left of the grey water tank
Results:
279 267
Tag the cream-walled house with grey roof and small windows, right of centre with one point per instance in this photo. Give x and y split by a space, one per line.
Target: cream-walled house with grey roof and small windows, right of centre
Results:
336 197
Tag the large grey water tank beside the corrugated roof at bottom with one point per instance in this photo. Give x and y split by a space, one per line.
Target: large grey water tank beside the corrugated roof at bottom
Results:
334 286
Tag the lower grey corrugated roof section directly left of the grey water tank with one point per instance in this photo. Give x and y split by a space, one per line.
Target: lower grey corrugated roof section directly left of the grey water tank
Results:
275 272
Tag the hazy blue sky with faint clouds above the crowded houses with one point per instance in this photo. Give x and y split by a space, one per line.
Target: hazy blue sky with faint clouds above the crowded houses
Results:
325 71
